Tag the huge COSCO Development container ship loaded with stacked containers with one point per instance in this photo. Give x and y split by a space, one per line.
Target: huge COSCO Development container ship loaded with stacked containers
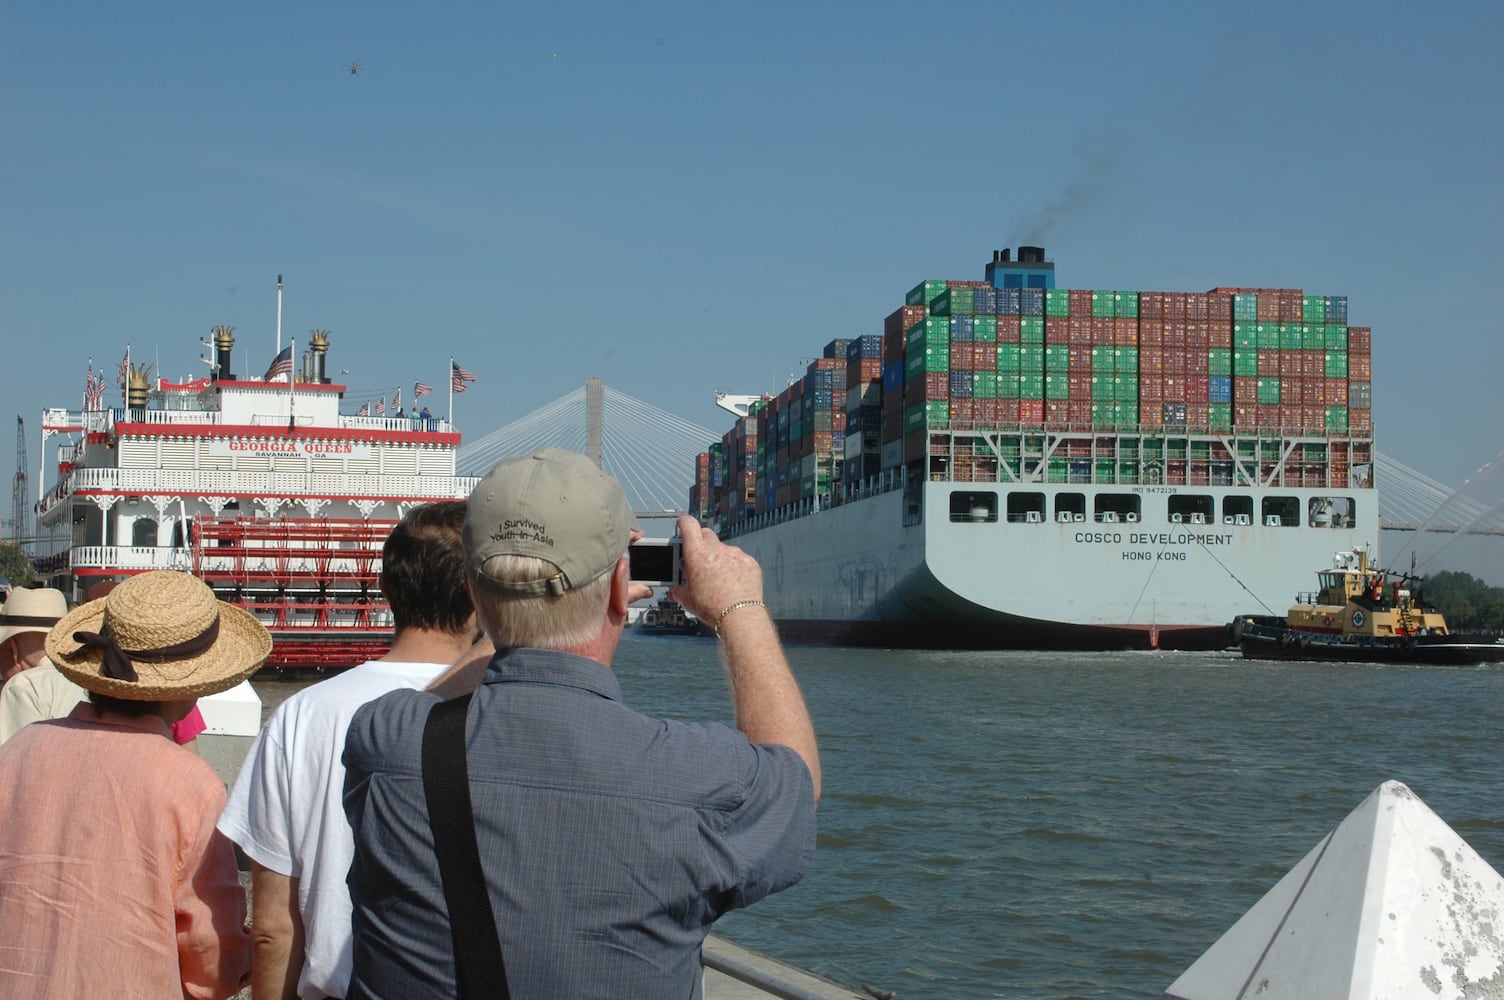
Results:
1014 465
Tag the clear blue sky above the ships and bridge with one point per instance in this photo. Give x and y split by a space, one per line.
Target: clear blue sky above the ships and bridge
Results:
688 198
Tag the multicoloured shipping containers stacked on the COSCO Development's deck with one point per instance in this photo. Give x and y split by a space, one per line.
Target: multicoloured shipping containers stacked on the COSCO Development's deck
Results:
969 356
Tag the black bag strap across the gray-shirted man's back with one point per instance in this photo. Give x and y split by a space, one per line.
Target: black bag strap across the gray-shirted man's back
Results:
479 966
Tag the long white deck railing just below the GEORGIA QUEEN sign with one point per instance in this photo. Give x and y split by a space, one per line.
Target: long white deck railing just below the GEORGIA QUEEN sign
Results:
229 483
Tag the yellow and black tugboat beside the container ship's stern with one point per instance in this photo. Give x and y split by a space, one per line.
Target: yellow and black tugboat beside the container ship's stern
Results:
1360 616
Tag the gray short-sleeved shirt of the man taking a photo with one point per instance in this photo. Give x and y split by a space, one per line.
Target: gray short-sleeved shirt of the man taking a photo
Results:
611 841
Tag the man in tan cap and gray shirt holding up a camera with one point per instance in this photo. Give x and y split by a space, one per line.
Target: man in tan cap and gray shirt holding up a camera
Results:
608 843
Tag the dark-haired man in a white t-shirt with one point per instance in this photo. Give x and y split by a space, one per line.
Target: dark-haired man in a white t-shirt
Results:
287 807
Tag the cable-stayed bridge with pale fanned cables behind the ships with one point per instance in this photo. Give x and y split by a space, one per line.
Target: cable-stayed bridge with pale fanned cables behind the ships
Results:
653 452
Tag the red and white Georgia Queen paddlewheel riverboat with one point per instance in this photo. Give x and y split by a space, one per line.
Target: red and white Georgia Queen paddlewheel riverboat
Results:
262 488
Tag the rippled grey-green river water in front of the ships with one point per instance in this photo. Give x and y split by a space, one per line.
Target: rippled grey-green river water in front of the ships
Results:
1078 825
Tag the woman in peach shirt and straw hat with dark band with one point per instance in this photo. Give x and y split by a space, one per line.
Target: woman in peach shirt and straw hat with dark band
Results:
114 877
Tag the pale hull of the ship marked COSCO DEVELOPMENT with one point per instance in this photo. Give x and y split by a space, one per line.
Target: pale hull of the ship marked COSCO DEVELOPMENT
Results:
879 572
